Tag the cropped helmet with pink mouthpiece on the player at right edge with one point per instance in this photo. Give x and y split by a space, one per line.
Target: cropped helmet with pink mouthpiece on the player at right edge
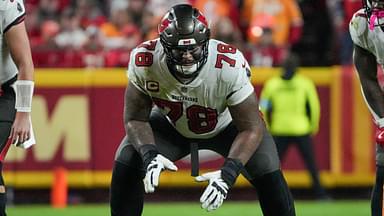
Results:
374 9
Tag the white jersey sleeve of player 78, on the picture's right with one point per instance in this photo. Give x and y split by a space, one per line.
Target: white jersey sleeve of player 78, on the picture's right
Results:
240 86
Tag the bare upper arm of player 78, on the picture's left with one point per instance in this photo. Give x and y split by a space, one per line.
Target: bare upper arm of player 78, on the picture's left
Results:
137 104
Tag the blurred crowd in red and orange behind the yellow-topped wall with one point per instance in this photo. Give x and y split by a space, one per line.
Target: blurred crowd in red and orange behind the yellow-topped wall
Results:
101 33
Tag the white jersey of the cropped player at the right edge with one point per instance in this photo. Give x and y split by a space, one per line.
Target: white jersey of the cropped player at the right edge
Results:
371 40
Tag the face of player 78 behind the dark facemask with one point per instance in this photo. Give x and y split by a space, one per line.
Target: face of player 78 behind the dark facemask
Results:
187 55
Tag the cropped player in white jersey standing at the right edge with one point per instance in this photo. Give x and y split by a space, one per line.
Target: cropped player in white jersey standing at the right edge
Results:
367 32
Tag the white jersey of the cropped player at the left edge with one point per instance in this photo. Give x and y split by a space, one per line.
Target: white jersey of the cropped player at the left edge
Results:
11 12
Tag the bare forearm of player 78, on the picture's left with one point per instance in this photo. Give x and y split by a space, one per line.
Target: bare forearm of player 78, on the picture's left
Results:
139 133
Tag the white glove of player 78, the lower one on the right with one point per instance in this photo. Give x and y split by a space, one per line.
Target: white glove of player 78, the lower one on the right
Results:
216 191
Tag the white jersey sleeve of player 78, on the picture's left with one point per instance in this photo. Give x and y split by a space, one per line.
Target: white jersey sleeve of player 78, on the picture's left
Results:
134 73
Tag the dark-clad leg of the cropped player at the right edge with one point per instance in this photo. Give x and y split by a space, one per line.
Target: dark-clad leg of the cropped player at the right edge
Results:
377 192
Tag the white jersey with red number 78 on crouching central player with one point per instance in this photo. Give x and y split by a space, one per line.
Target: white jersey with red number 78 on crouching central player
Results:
198 109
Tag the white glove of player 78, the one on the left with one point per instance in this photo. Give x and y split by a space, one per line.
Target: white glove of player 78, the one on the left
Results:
155 167
